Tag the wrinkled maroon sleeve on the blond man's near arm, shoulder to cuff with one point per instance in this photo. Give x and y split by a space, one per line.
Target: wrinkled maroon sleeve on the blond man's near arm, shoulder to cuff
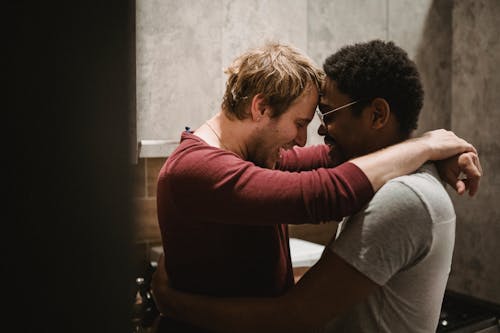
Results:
225 186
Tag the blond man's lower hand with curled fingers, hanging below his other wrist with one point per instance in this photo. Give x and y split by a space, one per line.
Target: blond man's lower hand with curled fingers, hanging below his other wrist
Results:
462 172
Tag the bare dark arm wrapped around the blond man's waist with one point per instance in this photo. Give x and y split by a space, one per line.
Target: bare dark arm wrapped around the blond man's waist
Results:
328 289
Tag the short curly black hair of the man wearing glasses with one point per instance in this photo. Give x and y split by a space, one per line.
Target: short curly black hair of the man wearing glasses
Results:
365 71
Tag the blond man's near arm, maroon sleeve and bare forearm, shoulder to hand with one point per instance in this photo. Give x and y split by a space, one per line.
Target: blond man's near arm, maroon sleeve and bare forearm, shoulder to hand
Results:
293 197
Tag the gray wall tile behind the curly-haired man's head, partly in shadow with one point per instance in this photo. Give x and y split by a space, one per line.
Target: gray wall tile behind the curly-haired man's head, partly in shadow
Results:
431 49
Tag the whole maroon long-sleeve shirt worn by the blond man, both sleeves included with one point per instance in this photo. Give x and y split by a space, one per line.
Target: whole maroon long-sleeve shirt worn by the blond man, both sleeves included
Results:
224 220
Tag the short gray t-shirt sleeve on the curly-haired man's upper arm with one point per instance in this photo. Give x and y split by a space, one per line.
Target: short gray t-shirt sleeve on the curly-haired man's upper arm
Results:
393 232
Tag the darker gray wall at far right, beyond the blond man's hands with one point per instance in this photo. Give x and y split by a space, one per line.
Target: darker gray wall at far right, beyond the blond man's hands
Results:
475 92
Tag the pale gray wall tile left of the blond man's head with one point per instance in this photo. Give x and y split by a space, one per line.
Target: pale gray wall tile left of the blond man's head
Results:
178 65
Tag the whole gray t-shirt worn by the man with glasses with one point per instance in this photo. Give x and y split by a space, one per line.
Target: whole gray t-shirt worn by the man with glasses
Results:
403 241
